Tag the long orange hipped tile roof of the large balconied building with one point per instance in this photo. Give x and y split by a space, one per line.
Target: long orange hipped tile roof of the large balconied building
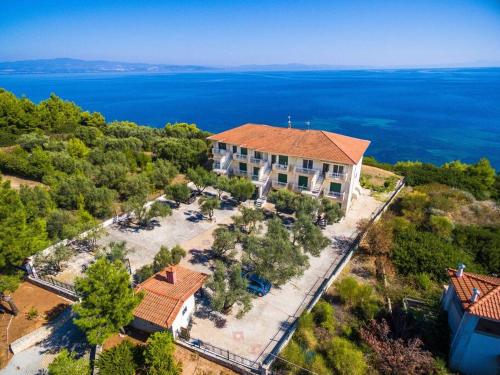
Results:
312 144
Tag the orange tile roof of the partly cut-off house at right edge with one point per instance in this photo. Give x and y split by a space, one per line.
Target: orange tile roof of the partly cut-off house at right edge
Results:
488 304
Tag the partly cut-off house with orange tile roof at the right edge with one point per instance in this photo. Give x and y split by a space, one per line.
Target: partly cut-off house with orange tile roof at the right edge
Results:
473 305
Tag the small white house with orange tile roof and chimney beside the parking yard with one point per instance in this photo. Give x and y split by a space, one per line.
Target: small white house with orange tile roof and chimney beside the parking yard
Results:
168 300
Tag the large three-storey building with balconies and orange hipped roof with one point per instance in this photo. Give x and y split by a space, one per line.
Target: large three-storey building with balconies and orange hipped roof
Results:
314 162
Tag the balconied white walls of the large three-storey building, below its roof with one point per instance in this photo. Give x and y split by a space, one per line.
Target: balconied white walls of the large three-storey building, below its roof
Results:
336 181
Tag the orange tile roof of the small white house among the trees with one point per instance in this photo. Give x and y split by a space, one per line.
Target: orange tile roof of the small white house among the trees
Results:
162 300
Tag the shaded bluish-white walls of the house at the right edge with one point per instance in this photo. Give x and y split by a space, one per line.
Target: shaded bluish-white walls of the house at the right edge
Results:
473 349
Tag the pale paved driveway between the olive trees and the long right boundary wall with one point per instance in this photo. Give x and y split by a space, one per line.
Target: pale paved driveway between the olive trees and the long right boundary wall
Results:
254 335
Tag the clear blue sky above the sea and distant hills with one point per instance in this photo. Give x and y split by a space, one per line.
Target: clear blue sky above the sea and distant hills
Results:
235 32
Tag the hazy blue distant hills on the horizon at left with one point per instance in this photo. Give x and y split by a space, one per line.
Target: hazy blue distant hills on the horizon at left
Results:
65 65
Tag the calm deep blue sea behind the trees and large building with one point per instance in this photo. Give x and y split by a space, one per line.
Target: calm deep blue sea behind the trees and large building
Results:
429 115
